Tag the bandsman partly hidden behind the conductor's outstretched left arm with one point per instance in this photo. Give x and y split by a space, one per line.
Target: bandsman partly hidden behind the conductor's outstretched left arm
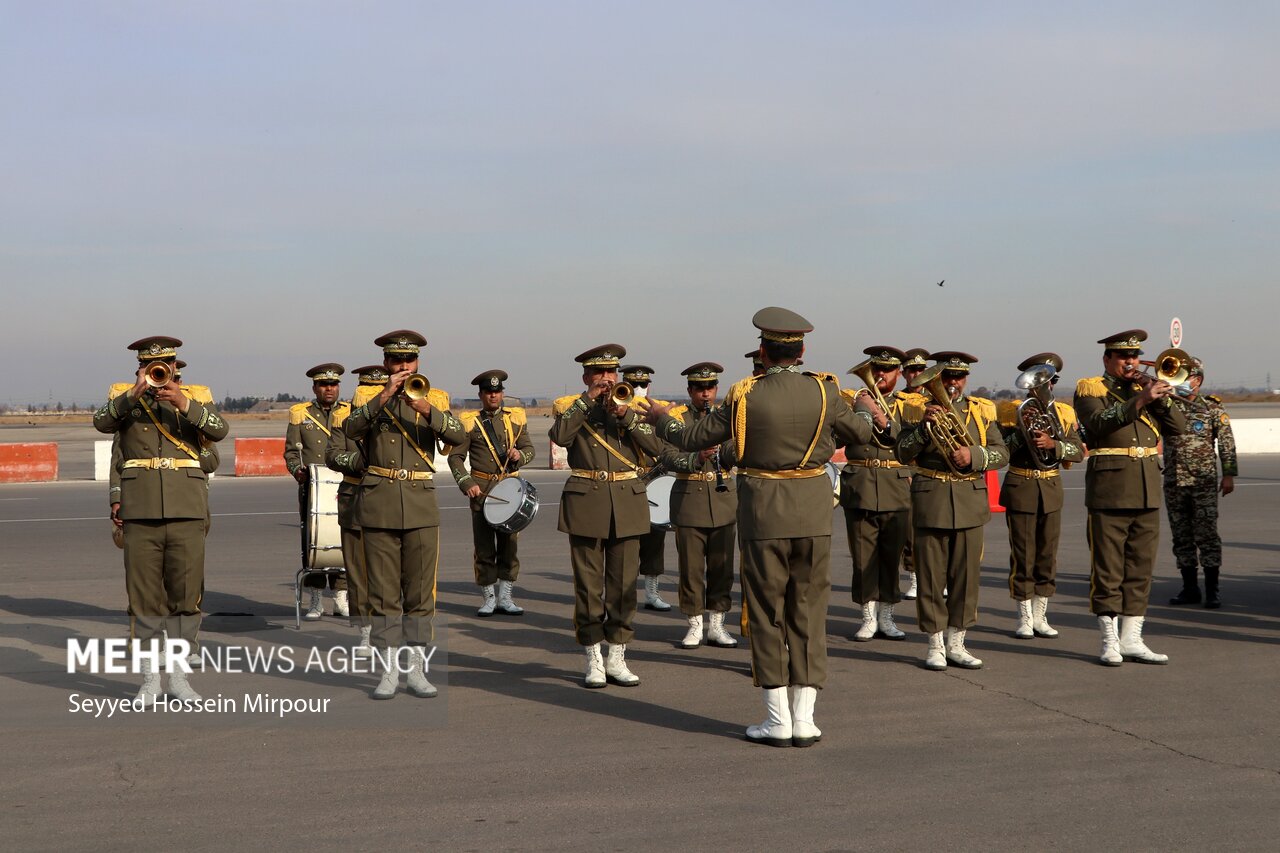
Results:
705 510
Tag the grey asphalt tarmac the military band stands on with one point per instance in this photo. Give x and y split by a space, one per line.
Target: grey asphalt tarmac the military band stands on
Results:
1043 749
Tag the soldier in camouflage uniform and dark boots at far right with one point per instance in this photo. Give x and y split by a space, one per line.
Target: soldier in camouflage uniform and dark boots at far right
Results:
1192 487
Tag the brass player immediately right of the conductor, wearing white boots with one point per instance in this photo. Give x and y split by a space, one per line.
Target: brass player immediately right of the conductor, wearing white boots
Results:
876 494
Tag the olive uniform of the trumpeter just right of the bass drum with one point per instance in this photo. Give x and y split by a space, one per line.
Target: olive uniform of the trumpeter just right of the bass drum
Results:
397 512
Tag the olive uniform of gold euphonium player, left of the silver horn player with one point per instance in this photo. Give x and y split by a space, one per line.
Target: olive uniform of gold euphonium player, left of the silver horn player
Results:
949 513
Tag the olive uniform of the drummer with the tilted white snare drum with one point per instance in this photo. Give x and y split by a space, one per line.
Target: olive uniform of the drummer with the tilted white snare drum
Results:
490 437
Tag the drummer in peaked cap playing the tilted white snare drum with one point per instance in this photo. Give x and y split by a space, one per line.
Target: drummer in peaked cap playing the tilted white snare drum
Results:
497 446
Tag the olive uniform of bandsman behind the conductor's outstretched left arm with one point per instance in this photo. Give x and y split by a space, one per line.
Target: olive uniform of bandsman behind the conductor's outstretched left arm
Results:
706 522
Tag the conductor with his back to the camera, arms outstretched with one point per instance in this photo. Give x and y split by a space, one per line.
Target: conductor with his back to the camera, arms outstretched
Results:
785 426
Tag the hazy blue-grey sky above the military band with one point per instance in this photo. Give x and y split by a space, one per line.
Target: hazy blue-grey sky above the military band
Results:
280 184
